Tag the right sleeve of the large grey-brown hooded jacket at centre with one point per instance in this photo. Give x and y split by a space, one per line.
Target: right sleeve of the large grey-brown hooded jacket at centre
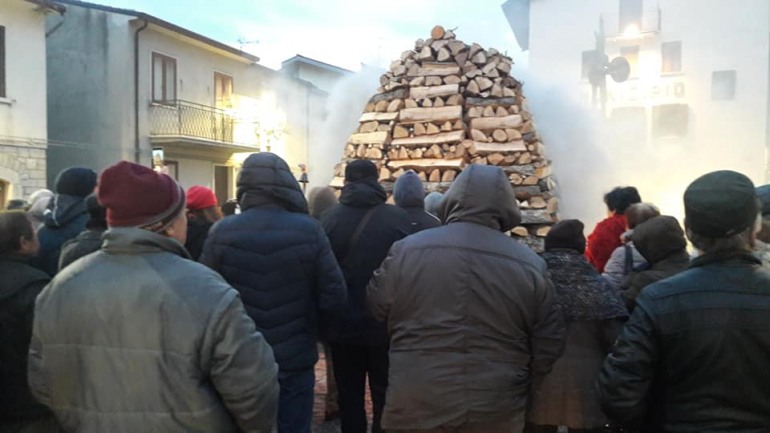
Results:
547 339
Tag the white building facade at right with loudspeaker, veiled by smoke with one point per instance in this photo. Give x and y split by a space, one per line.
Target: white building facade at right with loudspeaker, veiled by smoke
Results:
698 85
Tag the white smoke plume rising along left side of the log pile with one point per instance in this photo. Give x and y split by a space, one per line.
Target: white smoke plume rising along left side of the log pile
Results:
344 106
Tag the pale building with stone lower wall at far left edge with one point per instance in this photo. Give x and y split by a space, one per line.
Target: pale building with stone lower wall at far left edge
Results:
23 131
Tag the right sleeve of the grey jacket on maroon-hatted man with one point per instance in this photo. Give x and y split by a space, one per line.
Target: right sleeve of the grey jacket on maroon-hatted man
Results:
243 369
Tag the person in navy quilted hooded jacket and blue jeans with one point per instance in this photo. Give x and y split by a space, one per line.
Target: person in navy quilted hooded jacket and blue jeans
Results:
280 260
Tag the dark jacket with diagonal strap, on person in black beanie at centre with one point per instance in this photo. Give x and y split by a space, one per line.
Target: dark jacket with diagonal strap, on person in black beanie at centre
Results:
388 224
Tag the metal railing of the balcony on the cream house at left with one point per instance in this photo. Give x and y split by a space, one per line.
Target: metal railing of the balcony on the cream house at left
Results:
188 119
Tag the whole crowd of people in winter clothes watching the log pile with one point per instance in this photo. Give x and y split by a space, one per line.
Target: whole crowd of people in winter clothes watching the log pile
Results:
130 305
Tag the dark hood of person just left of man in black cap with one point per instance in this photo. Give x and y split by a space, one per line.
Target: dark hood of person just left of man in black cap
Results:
659 238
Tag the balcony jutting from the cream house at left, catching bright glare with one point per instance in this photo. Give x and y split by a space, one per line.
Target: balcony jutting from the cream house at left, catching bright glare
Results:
188 123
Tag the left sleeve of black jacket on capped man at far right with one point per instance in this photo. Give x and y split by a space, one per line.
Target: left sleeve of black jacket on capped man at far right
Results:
627 374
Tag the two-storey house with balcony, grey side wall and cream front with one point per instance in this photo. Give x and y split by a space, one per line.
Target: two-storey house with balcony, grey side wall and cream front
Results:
124 85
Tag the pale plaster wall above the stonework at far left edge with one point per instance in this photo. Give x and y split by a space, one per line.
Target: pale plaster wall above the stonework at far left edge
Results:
23 111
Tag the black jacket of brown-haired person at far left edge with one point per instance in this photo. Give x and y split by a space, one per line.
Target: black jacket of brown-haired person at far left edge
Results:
19 286
